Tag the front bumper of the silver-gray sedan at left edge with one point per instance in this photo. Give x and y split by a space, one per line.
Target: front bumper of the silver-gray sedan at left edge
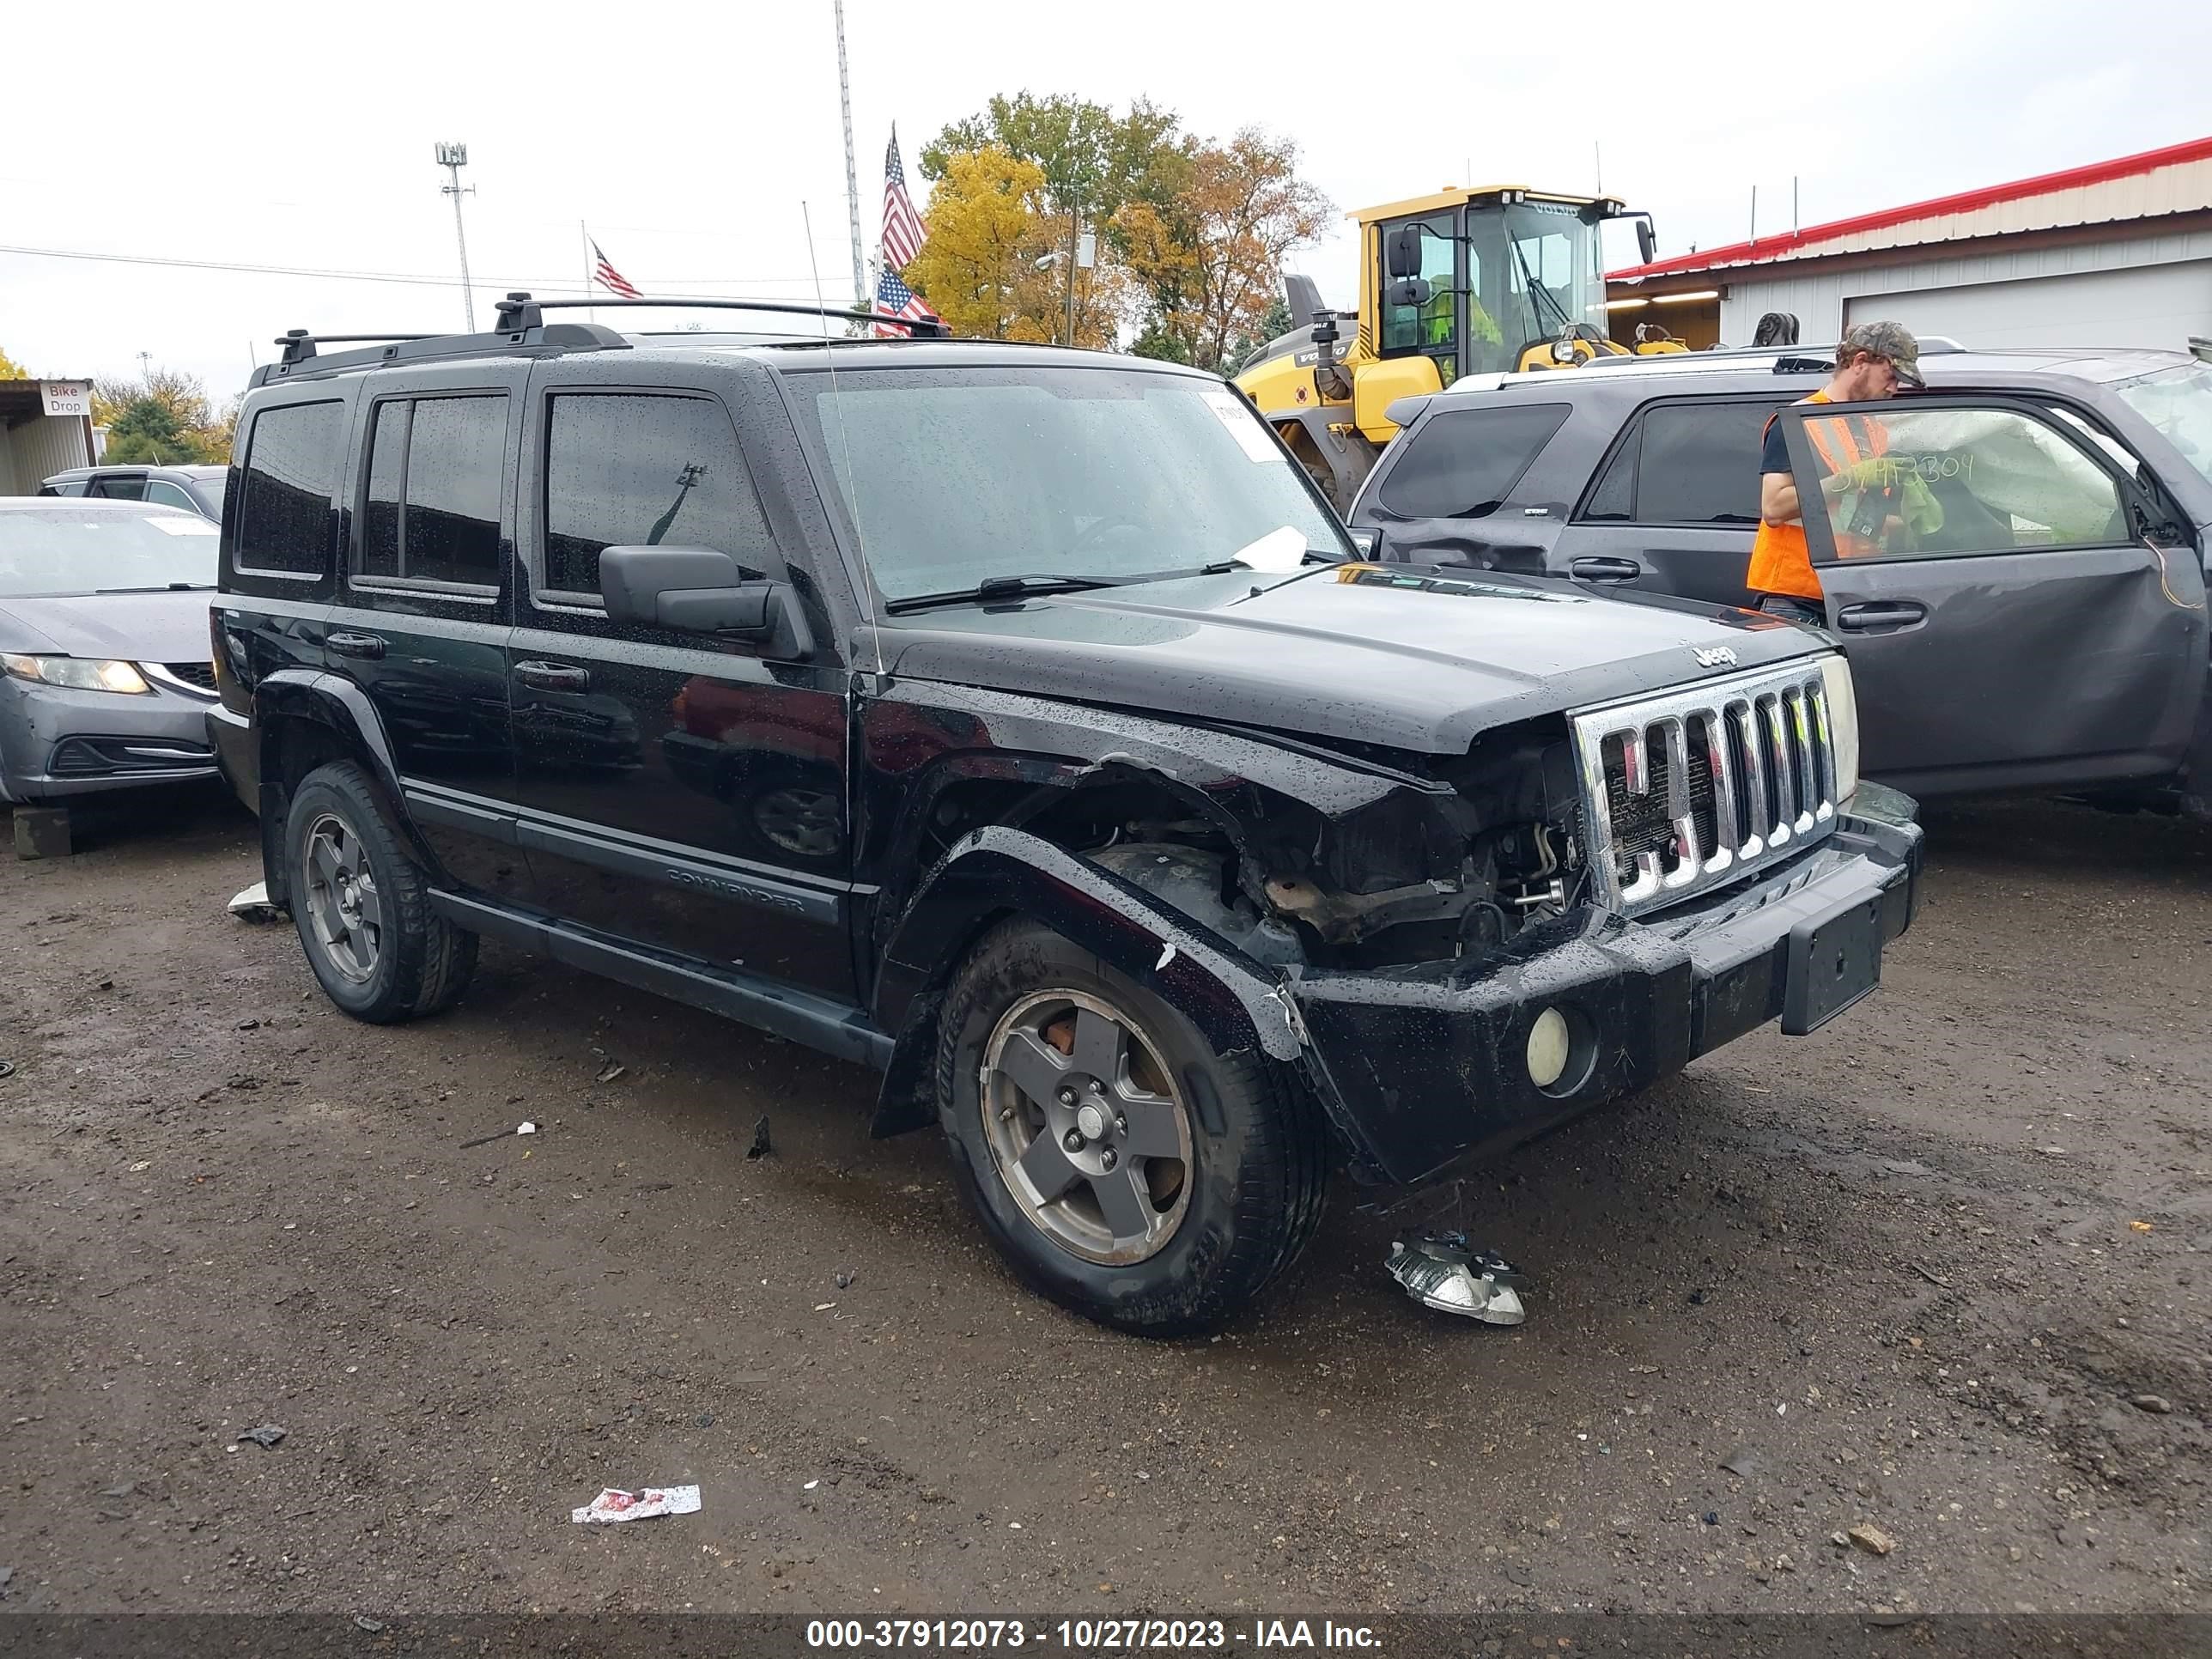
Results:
61 742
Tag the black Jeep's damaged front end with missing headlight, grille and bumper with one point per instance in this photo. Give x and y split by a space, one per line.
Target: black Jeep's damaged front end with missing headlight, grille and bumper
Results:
1457 952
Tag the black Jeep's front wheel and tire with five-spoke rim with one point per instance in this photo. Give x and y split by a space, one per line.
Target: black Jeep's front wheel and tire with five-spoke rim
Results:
1116 1160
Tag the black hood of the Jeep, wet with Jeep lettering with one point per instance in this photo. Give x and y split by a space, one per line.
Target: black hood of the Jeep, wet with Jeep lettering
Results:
1384 656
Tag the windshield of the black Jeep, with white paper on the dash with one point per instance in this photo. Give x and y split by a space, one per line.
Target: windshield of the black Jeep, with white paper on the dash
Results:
959 477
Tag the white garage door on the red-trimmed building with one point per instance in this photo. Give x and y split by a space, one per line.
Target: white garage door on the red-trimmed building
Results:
2145 306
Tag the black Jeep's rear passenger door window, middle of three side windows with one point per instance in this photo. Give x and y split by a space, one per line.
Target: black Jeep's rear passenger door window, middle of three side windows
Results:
432 503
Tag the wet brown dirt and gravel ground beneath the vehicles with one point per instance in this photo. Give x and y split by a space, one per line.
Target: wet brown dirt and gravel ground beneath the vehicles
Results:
1937 1271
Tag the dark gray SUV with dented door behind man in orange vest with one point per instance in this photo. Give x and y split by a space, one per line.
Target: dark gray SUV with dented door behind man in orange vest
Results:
2038 625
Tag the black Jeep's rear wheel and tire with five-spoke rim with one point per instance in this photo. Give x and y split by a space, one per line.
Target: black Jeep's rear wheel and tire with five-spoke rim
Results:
362 904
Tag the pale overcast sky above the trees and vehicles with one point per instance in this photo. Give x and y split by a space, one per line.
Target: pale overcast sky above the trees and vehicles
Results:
689 136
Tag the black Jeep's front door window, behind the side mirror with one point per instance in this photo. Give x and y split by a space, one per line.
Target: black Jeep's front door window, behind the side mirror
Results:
640 470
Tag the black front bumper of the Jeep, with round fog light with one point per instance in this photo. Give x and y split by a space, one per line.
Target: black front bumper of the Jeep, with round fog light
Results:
1428 1065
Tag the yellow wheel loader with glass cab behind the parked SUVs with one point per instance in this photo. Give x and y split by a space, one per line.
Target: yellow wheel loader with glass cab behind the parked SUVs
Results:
1465 282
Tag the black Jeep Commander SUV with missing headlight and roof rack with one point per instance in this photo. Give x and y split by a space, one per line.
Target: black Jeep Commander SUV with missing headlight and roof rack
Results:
1023 724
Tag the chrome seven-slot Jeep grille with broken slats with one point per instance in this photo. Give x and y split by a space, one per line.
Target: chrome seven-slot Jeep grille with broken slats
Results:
1698 789
